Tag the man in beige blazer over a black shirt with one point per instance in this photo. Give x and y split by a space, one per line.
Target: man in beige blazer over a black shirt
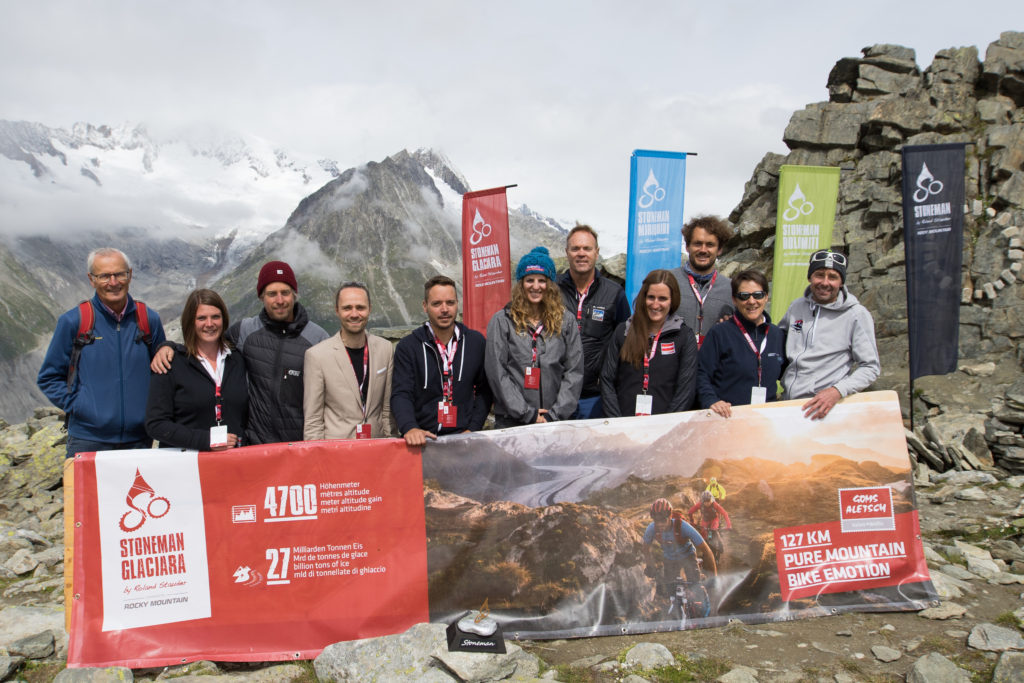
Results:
349 376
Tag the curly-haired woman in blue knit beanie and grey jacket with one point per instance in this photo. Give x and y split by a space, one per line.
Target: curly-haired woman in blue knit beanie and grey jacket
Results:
534 356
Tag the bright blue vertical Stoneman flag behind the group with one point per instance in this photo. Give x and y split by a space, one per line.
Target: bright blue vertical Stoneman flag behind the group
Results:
656 238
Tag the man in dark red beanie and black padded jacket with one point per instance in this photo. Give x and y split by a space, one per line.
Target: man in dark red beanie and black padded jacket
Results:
274 346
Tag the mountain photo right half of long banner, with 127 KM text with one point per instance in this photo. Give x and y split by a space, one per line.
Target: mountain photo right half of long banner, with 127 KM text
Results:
548 523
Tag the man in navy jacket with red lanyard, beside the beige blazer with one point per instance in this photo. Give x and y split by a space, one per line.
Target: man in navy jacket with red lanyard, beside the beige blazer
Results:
439 386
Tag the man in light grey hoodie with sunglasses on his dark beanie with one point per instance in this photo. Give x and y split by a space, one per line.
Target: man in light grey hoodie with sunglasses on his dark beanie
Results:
830 340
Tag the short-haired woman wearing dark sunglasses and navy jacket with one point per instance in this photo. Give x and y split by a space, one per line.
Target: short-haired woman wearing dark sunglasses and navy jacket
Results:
742 359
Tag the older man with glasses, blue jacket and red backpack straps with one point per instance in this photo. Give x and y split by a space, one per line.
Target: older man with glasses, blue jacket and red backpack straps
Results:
105 398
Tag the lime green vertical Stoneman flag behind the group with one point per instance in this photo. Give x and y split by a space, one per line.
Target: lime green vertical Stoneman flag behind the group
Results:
803 225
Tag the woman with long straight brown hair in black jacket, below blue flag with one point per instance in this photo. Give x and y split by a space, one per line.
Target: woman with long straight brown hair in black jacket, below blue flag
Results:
651 365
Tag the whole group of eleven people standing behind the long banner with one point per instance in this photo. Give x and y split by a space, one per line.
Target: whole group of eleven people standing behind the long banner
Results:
564 348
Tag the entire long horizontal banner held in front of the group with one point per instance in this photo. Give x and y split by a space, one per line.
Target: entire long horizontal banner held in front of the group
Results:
275 552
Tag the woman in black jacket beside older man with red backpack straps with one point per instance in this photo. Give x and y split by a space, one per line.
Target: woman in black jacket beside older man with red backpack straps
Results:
202 403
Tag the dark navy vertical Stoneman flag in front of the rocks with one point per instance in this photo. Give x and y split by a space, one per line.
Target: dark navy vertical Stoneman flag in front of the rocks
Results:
933 230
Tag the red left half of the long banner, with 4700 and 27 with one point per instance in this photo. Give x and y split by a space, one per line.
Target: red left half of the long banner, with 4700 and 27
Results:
263 553
